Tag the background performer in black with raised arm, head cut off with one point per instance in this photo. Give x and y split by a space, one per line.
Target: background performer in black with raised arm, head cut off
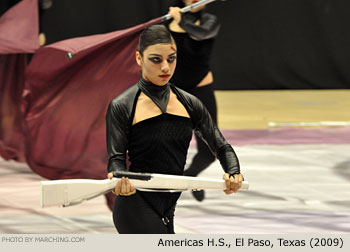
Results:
194 33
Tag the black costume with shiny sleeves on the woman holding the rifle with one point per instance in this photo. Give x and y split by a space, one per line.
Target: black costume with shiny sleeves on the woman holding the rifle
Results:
158 145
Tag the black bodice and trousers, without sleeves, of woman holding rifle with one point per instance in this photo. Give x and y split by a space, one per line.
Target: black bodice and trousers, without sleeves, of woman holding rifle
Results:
157 145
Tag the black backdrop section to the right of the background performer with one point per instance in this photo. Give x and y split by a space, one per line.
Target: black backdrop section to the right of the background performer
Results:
278 44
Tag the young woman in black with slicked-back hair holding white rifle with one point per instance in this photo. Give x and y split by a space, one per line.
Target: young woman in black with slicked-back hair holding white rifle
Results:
153 121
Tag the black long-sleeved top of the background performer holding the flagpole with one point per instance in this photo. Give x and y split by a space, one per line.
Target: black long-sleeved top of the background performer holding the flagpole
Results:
194 48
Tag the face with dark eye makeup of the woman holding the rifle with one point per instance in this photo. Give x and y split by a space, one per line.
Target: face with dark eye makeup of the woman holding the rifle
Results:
157 63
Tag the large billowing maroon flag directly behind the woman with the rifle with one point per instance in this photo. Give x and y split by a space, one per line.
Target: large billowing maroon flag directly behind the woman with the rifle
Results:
70 84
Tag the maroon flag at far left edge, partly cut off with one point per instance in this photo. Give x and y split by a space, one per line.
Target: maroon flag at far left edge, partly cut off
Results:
18 36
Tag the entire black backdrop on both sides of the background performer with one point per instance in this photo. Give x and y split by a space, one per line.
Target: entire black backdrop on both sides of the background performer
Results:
263 44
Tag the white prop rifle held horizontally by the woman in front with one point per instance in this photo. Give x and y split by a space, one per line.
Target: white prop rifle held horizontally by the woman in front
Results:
68 192
